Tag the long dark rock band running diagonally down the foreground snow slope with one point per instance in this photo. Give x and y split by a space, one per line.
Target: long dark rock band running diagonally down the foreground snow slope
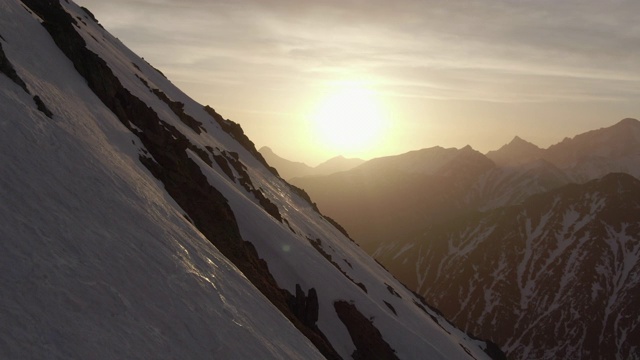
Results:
170 163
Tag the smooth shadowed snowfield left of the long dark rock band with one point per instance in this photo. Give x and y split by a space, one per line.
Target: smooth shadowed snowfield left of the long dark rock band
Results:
96 260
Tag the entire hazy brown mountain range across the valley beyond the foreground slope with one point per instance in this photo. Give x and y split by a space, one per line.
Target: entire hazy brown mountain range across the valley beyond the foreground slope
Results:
535 249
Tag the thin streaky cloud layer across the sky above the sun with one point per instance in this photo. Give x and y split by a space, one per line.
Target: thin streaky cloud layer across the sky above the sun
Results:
481 50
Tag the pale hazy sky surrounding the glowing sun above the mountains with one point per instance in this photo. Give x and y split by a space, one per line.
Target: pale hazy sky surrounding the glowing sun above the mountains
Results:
447 73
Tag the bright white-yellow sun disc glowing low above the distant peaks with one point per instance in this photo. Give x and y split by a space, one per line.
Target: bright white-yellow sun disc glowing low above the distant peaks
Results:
349 121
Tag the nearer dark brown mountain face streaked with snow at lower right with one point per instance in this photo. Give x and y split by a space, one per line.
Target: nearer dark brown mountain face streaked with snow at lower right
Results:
556 277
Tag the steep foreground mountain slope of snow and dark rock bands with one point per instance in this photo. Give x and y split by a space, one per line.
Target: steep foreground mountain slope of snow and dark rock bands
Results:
136 223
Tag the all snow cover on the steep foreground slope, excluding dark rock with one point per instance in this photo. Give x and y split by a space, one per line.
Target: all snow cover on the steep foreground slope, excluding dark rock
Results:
97 261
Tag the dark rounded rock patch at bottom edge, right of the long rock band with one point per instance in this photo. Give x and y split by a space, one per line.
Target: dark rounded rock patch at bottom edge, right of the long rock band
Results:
365 336
